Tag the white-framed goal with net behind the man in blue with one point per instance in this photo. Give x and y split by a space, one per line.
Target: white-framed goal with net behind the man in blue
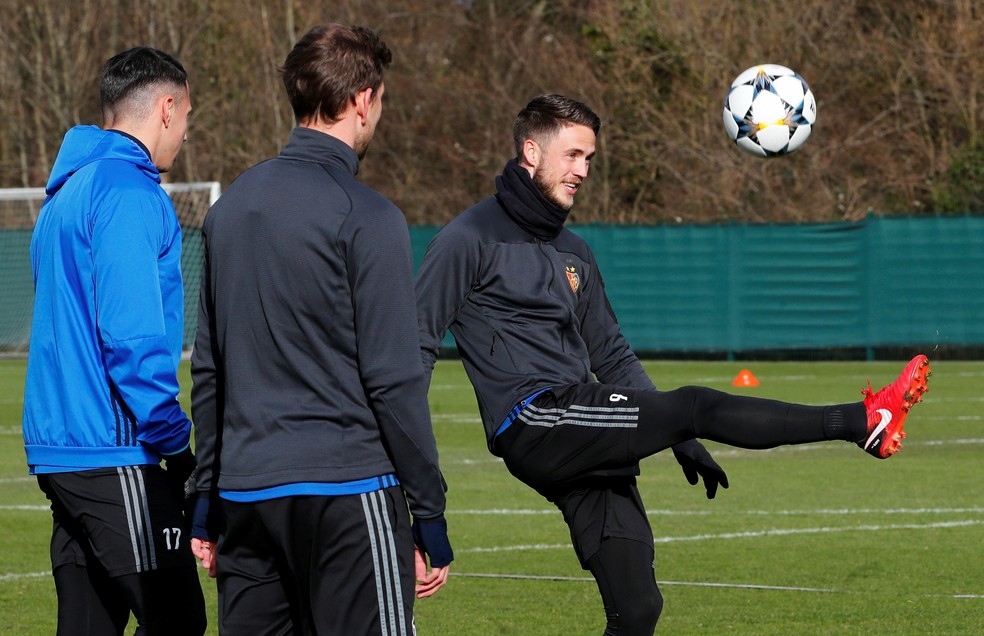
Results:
19 209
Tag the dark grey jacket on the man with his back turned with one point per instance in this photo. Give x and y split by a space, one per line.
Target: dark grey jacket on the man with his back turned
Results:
306 365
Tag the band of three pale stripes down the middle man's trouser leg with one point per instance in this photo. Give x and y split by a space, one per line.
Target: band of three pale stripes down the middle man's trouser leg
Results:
389 591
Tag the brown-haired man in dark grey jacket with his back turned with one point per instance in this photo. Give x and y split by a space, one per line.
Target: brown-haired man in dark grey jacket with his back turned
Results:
312 425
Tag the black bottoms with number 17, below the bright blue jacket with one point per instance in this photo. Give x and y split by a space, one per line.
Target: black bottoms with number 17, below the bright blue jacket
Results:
118 547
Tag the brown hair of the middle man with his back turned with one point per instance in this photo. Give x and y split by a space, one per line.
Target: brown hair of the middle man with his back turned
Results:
329 66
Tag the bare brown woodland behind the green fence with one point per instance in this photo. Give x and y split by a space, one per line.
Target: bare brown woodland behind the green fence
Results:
898 85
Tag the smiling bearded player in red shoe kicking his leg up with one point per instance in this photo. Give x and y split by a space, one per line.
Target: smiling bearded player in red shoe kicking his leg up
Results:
564 400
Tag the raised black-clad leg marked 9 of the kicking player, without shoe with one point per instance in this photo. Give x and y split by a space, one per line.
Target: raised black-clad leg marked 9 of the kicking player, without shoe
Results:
580 430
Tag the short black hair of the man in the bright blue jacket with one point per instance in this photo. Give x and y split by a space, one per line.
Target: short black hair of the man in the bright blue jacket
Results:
127 73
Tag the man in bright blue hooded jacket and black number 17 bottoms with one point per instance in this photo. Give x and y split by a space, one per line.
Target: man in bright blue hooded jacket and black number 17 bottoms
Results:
101 399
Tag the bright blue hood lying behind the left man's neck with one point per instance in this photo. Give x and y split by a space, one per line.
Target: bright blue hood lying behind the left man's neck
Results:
85 144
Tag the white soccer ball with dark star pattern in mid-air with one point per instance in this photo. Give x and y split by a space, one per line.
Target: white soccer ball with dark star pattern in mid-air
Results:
769 110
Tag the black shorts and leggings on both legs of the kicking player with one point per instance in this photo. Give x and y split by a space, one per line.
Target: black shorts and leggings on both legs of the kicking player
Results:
580 445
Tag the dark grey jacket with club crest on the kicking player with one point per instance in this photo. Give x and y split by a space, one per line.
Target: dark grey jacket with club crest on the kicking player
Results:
526 314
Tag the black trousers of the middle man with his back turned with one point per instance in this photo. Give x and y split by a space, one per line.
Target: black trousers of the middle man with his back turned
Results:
317 565
